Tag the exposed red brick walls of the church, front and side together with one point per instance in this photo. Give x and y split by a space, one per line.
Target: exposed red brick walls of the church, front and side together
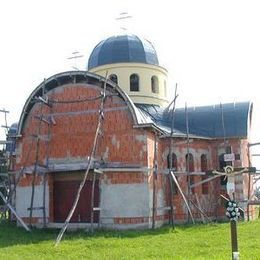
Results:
70 140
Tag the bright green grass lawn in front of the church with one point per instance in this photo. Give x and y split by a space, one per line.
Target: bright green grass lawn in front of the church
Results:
185 242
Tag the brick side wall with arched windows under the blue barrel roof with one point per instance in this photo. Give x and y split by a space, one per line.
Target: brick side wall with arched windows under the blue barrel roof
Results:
210 202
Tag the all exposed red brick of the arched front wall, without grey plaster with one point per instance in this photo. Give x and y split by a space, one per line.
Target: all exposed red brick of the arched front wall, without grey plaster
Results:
71 137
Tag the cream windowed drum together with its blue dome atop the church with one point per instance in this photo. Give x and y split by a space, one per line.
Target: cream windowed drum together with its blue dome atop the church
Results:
132 63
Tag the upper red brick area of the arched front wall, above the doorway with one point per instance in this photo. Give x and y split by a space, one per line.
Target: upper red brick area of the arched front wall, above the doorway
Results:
75 124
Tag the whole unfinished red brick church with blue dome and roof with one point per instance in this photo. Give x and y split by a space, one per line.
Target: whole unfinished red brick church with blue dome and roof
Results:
128 184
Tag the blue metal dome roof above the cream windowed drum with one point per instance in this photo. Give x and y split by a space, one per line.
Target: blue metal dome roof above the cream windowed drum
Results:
123 48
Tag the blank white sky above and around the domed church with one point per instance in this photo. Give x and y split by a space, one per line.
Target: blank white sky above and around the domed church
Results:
211 48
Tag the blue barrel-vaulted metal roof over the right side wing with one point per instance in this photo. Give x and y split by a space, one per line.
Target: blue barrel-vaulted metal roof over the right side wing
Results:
227 120
